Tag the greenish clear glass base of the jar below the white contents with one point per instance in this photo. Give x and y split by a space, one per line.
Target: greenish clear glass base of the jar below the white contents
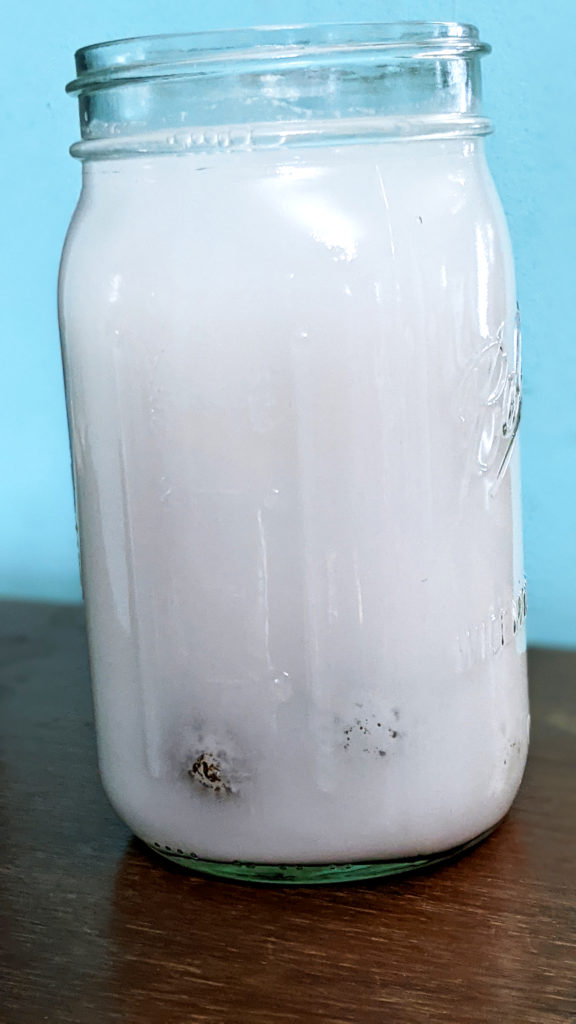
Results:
313 874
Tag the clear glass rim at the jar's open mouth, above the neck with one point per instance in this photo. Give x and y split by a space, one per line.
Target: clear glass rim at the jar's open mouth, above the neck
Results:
152 58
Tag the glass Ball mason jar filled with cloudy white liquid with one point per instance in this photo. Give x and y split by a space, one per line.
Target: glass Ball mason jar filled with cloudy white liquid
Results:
293 364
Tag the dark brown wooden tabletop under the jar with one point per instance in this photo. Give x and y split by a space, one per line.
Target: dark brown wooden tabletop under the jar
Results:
95 929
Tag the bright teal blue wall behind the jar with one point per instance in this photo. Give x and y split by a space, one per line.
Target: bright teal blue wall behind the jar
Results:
530 91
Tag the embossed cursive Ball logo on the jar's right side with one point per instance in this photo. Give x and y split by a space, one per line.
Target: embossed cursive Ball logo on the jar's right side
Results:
490 403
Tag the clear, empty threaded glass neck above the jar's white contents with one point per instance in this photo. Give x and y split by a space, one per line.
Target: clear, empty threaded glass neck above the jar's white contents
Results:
279 88
